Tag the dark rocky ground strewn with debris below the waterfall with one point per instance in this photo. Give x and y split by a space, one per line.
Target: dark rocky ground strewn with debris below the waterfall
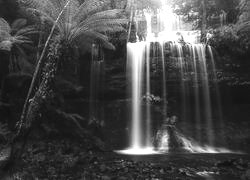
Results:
71 159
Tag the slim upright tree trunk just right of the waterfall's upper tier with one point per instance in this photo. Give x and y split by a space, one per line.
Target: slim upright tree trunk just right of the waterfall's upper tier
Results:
204 20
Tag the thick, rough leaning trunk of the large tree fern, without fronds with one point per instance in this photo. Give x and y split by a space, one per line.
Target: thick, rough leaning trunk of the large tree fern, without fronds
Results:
37 103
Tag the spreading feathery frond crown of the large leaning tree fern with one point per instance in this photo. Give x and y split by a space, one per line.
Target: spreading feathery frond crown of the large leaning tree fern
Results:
80 24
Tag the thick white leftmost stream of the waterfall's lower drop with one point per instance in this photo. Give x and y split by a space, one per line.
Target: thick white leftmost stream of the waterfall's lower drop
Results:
137 59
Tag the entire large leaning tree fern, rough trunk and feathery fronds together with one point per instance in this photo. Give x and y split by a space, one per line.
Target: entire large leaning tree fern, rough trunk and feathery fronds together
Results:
75 26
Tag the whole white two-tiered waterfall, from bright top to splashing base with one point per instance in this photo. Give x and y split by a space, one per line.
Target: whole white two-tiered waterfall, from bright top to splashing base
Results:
167 32
